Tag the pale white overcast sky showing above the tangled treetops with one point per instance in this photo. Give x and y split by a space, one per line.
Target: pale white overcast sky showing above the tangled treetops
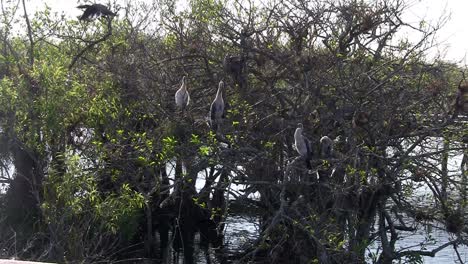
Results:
452 39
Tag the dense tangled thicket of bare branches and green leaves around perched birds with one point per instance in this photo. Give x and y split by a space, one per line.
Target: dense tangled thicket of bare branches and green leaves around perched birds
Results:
98 165
